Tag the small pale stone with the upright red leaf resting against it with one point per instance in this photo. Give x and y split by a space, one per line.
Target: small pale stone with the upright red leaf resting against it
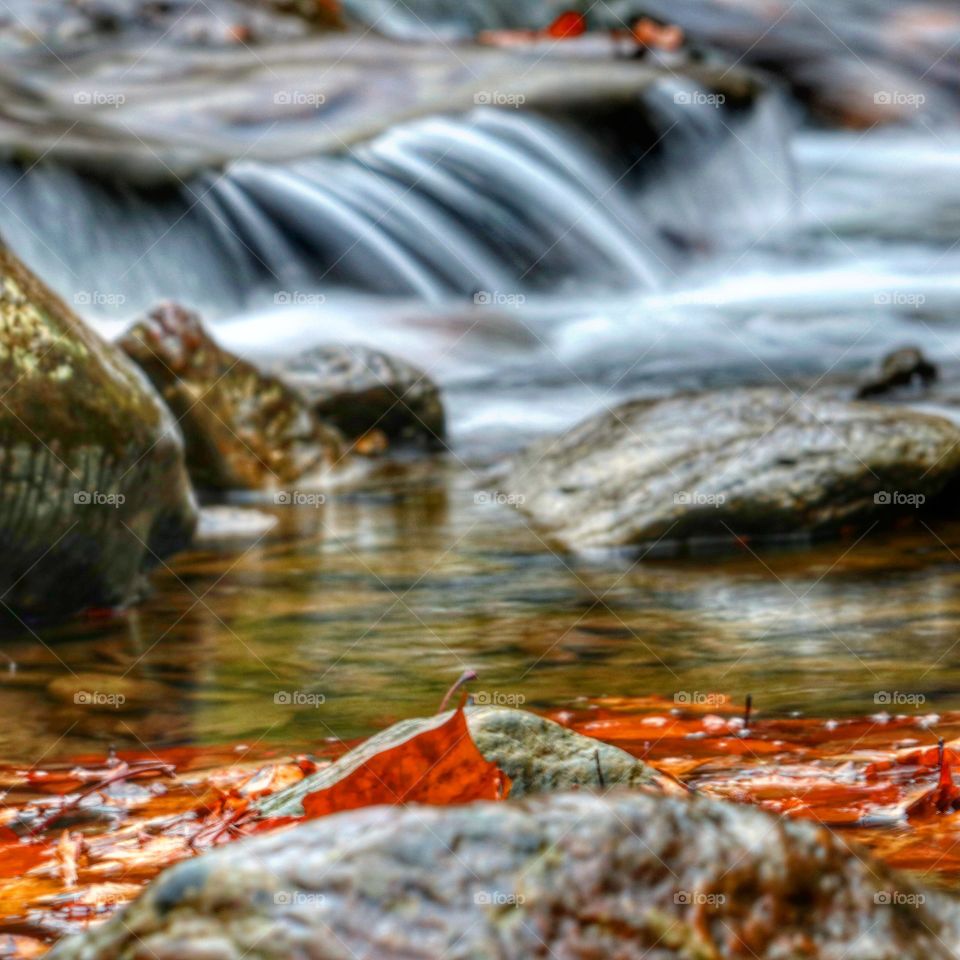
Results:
537 754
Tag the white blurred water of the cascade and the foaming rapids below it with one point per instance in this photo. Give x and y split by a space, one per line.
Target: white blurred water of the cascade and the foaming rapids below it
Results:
536 275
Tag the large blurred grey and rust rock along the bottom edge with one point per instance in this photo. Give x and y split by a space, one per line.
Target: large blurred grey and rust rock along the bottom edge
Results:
629 875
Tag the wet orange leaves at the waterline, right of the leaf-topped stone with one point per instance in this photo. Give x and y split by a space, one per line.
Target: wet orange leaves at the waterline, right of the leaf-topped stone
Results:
886 780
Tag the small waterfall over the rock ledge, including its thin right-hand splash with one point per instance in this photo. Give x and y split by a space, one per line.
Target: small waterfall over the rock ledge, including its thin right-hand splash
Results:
502 201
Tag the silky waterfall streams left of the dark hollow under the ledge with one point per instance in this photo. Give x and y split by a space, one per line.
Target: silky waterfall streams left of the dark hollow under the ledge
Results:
437 208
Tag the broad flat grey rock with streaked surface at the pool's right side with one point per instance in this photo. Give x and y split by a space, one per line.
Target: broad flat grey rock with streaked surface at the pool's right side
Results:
719 464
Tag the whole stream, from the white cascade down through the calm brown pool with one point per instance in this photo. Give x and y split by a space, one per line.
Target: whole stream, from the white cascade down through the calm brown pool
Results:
540 269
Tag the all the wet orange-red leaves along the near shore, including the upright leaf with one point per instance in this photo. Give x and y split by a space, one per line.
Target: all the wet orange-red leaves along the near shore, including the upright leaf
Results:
79 839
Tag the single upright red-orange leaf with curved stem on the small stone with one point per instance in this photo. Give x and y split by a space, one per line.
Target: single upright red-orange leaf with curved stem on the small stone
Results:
438 766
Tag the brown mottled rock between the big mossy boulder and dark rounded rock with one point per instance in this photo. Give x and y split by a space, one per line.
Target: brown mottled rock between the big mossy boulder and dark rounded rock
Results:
244 430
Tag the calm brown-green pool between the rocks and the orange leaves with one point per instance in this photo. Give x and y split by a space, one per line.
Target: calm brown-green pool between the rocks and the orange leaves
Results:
378 599
